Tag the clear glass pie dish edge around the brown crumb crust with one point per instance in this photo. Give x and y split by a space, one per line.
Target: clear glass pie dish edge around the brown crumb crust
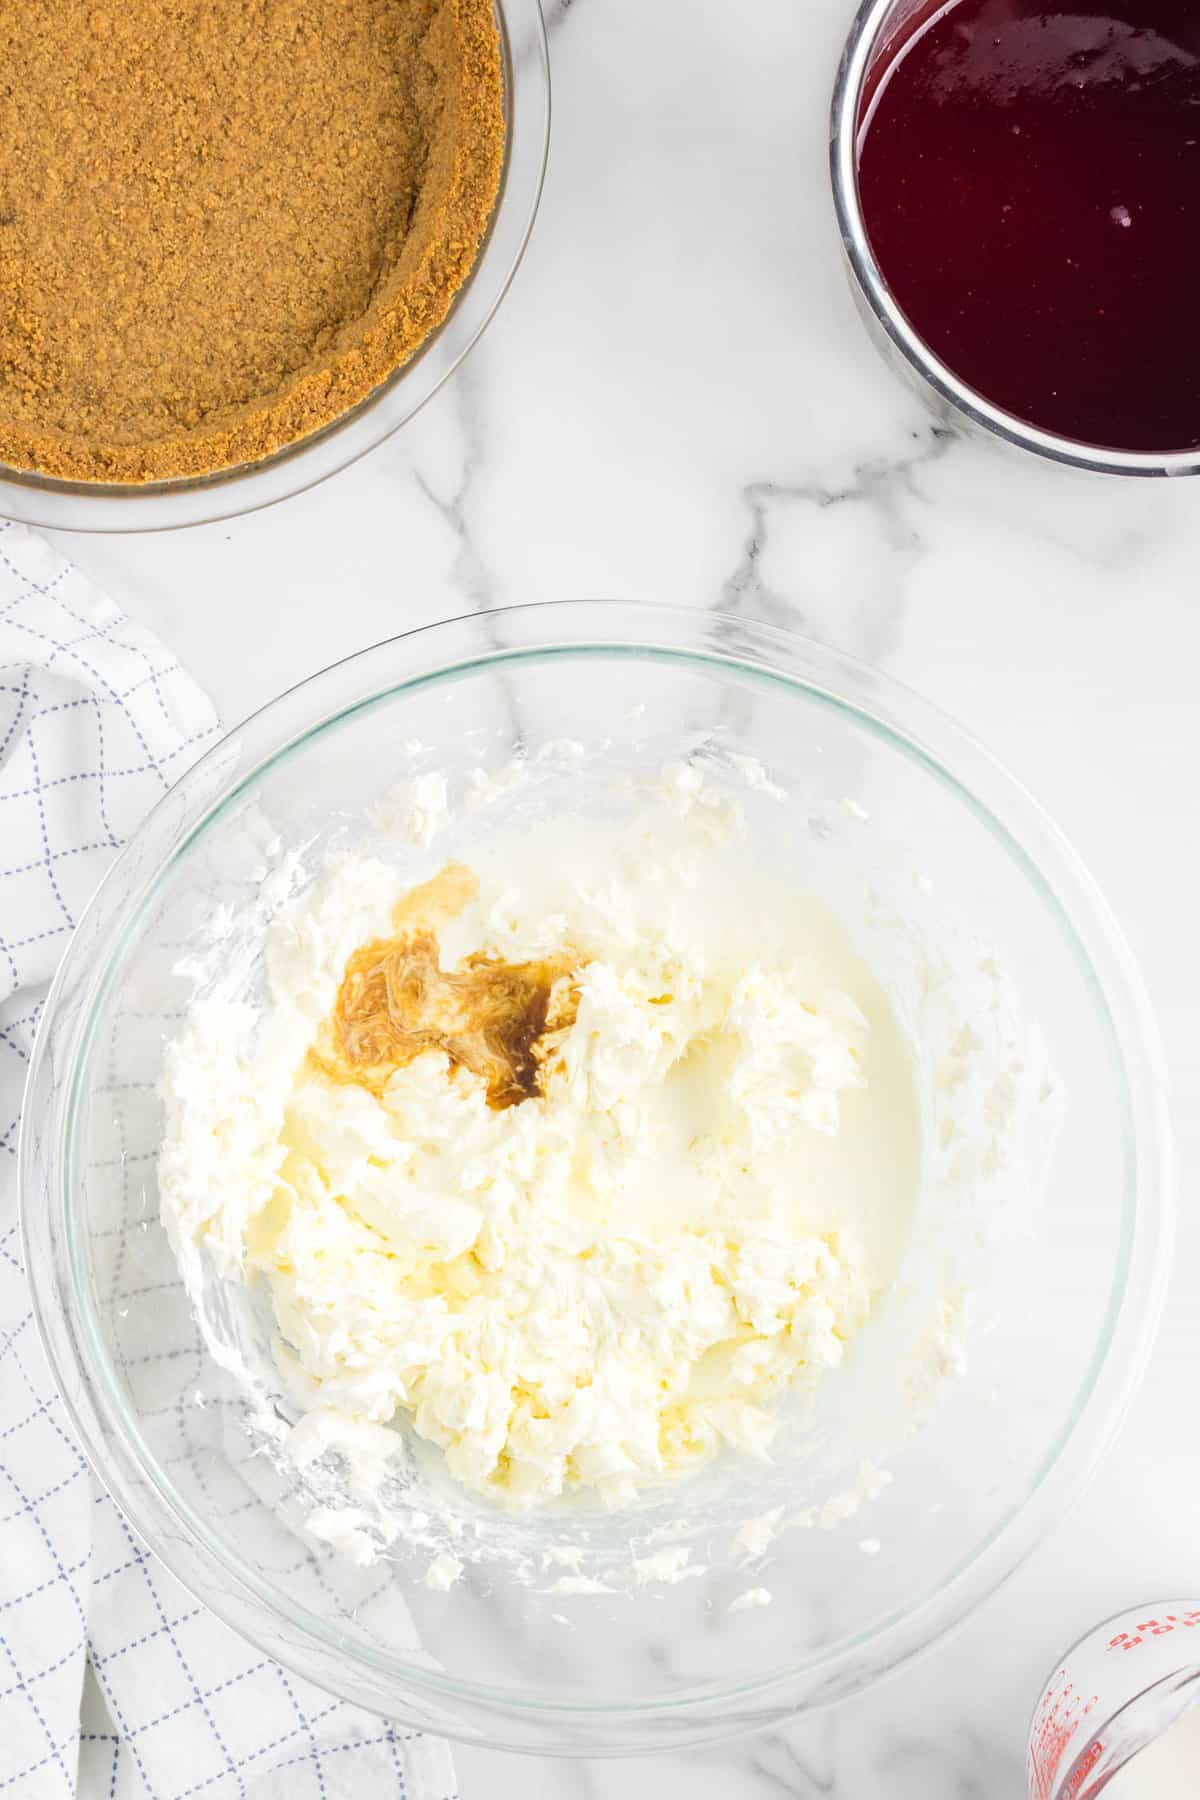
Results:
195 501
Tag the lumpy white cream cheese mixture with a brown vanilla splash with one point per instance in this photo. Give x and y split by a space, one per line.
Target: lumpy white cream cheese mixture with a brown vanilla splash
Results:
578 1156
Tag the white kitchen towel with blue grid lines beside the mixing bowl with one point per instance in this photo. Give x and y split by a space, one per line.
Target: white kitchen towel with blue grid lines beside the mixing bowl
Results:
114 1682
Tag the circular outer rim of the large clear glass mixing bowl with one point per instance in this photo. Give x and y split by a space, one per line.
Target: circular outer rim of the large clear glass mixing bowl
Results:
893 714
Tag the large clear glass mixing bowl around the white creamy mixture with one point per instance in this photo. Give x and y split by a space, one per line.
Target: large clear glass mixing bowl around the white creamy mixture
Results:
888 802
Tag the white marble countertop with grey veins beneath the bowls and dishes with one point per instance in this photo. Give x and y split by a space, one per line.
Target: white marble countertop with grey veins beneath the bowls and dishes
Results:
677 402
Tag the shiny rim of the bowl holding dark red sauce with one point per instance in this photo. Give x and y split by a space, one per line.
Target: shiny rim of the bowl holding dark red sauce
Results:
891 319
